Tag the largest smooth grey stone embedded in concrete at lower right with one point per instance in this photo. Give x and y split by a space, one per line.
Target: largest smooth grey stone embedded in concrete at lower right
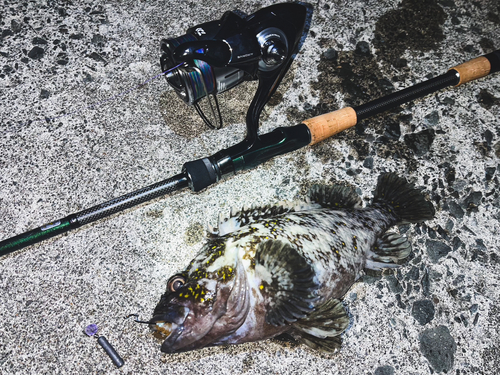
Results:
439 347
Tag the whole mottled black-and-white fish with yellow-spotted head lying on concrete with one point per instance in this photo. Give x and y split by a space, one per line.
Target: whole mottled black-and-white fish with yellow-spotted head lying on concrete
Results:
283 269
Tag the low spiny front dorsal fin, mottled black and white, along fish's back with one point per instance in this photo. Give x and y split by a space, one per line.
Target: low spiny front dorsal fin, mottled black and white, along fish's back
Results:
248 215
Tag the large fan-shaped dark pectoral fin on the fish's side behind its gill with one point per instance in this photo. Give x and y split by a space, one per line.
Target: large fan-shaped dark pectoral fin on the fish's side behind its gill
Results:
287 282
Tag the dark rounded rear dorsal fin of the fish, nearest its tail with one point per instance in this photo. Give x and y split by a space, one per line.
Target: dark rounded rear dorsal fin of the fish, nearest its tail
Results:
335 196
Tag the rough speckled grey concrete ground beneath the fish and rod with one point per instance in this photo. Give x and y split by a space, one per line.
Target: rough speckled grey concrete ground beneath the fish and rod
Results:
437 313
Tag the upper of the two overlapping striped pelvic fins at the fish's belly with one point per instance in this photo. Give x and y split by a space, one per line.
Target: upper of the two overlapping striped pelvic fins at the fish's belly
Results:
327 321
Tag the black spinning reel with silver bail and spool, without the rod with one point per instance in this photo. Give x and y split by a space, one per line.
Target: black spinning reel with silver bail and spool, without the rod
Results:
218 55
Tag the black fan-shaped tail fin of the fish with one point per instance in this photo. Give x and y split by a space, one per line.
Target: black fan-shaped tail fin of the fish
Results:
403 199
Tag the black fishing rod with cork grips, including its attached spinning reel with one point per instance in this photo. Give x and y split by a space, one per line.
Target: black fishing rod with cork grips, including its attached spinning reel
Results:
215 58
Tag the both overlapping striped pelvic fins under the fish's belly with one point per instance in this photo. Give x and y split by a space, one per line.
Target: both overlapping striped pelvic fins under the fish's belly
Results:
322 328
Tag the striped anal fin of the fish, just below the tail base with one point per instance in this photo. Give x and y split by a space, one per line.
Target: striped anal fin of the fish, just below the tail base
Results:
389 250
